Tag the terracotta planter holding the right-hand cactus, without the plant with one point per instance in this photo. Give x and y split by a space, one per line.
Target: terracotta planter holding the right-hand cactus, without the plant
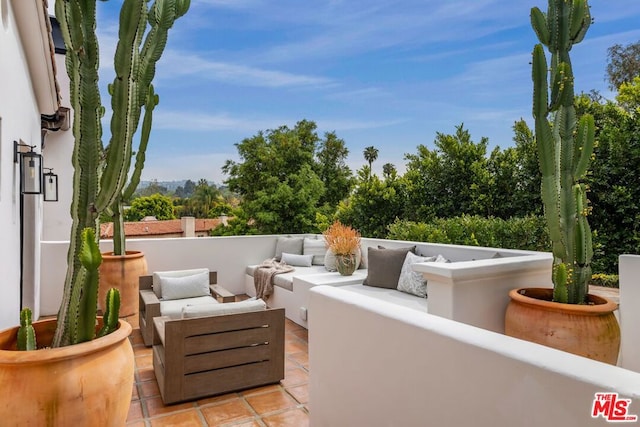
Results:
589 330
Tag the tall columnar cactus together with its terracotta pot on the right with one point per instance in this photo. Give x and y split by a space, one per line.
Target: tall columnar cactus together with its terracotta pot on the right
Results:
567 316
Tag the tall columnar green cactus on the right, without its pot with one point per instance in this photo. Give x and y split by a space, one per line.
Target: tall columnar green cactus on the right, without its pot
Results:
565 145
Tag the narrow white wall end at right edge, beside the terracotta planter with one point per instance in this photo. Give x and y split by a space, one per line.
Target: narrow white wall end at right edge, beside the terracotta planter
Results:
629 268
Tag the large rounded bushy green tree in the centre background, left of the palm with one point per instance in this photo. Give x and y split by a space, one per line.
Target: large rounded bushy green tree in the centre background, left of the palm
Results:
276 179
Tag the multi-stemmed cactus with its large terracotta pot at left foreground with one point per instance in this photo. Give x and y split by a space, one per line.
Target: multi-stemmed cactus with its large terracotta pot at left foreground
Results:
82 370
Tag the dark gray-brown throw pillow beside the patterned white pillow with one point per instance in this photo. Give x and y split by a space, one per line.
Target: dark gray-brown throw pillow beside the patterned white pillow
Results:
385 266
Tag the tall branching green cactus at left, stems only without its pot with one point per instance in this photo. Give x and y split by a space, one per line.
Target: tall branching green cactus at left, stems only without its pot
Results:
101 173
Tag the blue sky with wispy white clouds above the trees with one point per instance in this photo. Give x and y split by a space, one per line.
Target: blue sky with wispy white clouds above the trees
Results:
379 72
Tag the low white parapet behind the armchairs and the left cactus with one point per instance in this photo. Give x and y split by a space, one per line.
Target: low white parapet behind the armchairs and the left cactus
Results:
229 256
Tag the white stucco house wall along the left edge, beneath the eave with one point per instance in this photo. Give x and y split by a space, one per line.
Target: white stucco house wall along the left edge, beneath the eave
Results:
19 120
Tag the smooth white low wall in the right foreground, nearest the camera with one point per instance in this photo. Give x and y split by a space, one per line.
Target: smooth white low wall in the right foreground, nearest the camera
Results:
372 364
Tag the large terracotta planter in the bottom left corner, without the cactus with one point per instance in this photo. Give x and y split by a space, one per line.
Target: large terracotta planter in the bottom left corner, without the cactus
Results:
86 384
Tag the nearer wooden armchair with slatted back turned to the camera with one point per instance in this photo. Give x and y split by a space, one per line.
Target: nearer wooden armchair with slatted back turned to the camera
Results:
205 356
